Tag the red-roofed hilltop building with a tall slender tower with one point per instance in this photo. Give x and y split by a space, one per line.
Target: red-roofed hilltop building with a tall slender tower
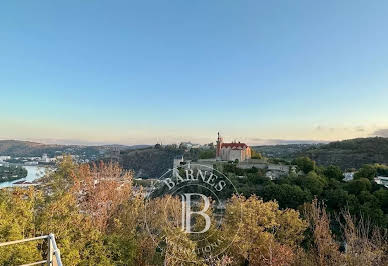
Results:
232 151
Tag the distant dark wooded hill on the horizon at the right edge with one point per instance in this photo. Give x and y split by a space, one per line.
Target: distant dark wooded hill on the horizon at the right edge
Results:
352 153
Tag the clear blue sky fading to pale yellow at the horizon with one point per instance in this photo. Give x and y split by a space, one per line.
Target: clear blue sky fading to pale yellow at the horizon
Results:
141 72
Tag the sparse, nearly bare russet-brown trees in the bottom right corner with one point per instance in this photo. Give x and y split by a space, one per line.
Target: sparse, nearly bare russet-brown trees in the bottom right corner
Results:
365 244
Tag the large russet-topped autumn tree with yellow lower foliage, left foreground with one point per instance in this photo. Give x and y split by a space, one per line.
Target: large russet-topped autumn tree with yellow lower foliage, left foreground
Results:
79 211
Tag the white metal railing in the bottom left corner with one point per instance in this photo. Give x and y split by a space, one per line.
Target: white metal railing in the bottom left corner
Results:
53 254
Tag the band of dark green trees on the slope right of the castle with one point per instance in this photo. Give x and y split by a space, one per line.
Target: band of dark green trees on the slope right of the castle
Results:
362 197
